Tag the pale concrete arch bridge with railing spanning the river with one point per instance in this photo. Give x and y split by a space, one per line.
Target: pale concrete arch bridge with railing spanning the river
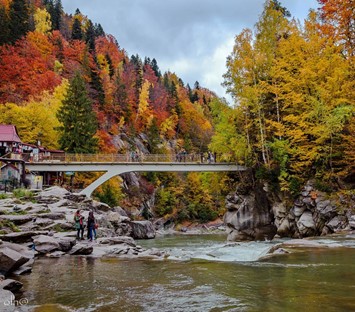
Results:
113 165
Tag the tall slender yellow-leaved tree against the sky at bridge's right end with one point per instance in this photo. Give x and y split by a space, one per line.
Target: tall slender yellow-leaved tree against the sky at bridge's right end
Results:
249 76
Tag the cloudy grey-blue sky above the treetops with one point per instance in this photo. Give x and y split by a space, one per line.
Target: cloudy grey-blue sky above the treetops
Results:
189 37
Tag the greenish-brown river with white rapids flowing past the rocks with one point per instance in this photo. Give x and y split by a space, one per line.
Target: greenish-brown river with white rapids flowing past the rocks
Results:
203 273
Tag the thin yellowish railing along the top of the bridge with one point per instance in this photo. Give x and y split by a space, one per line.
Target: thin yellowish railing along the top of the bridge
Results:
123 158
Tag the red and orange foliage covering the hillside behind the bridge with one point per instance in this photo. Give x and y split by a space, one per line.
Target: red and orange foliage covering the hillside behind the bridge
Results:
131 97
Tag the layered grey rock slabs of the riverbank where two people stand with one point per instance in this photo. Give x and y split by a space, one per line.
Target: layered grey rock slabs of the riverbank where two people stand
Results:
42 225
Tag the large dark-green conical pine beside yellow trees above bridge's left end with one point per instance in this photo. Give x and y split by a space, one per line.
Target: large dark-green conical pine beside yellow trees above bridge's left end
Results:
79 123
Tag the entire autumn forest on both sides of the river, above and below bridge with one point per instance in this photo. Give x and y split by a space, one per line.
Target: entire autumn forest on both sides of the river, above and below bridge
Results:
65 81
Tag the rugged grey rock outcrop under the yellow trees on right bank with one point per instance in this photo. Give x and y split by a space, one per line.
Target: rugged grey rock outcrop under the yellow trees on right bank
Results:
255 213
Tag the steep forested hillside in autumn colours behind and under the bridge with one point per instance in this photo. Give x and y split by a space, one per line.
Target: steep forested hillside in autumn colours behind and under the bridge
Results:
68 84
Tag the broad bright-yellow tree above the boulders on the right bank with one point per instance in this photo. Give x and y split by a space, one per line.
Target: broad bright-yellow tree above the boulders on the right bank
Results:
309 73
